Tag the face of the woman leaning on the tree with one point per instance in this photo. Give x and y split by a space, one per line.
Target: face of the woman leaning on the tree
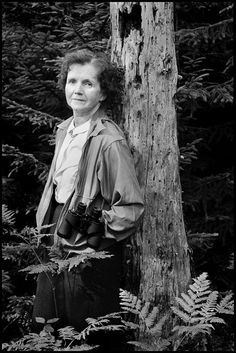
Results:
82 90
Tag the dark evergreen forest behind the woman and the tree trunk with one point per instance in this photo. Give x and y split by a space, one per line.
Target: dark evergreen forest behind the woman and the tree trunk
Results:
35 37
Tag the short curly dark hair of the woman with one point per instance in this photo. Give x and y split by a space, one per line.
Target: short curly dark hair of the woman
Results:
110 77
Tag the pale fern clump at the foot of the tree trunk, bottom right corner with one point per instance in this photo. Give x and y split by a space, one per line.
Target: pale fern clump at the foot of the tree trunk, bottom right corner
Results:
197 309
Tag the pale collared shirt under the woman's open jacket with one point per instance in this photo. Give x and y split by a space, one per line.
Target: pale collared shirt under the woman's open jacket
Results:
68 160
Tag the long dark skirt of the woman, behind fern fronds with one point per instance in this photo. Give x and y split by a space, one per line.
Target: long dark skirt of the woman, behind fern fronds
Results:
84 291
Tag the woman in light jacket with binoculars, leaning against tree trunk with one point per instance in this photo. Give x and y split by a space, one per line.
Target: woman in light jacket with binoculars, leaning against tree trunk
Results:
92 170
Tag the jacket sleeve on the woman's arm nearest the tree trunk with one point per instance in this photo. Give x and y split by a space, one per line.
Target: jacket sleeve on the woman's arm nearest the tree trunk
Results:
121 190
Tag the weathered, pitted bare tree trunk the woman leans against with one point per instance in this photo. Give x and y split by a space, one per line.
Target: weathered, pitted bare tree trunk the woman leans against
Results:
143 43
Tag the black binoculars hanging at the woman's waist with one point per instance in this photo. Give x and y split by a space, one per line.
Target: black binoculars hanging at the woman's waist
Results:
87 224
